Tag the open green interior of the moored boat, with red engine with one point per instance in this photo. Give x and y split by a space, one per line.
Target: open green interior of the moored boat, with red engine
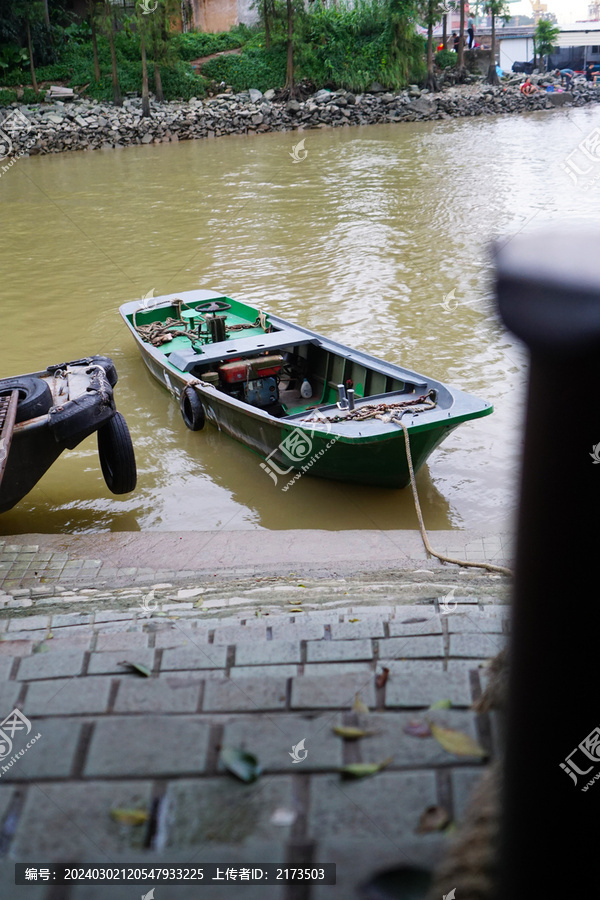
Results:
268 364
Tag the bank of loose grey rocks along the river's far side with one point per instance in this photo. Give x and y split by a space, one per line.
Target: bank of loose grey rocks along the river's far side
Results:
88 125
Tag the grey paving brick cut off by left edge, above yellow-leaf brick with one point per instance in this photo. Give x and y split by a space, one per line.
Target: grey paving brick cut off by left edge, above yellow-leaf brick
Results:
52 754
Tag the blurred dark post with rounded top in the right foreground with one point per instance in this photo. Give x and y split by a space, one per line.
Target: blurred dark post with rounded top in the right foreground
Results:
548 288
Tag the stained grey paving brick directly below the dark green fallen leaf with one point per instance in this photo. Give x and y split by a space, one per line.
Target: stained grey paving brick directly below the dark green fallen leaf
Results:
218 810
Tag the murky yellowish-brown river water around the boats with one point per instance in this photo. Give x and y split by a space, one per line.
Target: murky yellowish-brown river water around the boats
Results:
379 238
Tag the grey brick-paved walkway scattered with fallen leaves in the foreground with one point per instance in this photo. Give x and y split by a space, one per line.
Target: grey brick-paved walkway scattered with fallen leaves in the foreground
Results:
258 665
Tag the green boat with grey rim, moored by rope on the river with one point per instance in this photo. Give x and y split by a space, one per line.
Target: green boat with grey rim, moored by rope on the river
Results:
302 402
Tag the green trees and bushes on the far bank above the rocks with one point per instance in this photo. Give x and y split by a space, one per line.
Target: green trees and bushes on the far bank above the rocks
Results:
110 54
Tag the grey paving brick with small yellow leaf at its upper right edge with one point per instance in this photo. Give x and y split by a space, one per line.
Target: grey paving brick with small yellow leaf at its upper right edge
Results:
81 821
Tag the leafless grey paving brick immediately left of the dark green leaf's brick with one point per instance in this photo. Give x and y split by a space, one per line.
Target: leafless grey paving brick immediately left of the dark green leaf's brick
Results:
148 746
